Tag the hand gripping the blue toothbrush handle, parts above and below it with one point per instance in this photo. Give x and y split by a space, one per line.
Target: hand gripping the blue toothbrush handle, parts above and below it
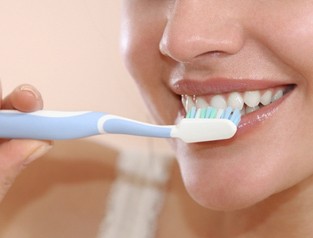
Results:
17 154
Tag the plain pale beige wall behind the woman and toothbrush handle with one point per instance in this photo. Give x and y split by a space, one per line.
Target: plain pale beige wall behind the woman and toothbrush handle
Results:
70 51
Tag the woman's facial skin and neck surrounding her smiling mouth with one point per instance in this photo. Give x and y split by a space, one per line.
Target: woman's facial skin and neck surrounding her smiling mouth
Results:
259 184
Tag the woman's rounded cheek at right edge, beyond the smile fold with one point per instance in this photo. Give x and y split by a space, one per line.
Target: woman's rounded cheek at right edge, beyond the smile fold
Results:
290 38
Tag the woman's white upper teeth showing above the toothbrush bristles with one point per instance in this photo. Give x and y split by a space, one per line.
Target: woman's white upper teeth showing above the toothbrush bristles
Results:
245 101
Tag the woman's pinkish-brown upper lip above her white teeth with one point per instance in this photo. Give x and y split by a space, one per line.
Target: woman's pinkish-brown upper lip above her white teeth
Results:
220 85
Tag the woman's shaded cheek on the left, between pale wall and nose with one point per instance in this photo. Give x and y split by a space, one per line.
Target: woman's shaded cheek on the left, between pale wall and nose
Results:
147 66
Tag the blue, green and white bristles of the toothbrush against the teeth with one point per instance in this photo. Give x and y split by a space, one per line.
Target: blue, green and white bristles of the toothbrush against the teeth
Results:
229 113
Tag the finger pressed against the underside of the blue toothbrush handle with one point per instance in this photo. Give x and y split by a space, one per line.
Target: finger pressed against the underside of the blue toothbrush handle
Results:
16 155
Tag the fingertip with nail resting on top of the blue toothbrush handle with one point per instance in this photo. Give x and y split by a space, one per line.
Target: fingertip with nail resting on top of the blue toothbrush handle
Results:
25 98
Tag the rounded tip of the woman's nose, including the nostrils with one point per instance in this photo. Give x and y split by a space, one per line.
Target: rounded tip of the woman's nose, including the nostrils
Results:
189 35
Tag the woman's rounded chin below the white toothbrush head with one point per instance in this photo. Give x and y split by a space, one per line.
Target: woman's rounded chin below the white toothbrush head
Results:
223 182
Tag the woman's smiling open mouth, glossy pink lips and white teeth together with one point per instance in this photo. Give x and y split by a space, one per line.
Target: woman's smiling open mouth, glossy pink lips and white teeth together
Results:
257 99
